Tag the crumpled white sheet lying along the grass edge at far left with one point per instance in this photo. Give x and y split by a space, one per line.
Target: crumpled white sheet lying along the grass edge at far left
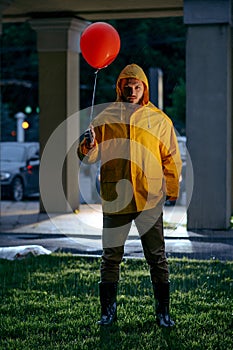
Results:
20 252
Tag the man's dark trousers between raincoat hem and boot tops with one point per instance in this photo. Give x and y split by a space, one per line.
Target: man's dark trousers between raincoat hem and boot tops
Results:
115 231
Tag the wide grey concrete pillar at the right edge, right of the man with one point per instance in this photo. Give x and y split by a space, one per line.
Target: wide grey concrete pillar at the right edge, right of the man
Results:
209 111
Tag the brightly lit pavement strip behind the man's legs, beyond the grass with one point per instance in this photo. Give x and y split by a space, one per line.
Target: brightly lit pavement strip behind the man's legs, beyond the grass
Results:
80 232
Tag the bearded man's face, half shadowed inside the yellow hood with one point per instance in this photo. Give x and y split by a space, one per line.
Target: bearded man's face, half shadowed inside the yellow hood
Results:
132 90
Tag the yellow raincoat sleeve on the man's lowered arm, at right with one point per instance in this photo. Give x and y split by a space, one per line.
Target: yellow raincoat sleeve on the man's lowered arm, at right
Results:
171 160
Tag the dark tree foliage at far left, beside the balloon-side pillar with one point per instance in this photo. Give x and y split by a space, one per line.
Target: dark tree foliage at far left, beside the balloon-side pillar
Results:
19 67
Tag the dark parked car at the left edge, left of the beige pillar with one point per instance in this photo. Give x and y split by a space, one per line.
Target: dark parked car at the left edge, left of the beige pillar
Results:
19 176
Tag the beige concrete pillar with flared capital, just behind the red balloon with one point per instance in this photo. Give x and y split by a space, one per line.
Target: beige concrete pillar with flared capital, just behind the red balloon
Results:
58 47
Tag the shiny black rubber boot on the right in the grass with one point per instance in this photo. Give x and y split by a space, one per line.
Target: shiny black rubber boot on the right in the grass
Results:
162 294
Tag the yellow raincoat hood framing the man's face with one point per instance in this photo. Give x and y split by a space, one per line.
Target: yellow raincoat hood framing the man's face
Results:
136 72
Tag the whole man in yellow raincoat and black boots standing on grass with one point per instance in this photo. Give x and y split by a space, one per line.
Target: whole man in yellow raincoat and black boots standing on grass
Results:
140 168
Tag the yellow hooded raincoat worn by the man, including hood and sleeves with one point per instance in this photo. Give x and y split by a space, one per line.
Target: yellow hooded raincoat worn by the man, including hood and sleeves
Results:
138 149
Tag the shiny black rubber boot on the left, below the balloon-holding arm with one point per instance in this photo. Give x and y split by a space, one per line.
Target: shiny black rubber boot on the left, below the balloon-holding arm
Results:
108 294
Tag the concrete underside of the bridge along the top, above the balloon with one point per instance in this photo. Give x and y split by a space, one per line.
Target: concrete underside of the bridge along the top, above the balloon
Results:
93 10
